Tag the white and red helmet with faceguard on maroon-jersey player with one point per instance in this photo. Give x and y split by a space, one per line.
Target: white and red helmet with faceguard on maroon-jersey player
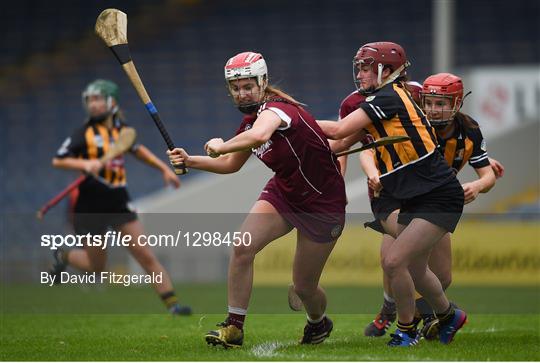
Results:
247 65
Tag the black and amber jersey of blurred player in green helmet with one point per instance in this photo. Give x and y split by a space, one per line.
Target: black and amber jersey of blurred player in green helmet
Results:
91 141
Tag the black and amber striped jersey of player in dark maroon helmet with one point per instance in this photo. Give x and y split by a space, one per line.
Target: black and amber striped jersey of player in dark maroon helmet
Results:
409 168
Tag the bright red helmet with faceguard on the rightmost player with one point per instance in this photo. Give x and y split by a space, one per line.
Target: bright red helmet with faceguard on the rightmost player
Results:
442 86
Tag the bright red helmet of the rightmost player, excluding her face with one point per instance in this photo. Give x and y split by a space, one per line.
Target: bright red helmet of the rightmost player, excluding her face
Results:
444 85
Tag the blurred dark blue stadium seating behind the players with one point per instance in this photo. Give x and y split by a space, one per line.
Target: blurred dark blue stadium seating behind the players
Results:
308 45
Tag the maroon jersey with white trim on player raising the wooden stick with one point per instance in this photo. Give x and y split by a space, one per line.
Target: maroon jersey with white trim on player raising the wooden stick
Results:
298 152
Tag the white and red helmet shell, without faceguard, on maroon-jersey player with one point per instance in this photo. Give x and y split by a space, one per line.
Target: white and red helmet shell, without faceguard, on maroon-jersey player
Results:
247 65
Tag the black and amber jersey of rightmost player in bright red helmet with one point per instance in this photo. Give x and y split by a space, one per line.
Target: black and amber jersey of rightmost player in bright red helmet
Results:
464 145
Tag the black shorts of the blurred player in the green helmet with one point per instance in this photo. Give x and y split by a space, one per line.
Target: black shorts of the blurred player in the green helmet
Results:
99 208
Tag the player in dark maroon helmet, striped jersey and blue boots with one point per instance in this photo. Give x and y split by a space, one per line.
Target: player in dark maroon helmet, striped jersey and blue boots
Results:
412 172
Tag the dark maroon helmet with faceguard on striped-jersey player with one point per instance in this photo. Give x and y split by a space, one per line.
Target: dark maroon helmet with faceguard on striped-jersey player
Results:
378 56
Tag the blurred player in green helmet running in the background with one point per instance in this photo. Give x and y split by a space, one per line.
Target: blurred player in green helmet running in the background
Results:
102 200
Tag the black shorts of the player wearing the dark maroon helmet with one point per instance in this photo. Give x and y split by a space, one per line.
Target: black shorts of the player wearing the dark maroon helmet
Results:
441 206
